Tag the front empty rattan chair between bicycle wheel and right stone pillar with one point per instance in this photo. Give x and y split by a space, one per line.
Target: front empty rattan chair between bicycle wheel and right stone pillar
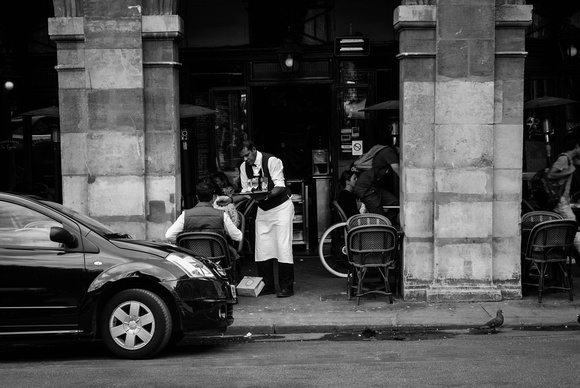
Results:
371 246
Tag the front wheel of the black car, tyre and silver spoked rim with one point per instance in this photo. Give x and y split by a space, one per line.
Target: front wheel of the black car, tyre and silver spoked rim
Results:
136 324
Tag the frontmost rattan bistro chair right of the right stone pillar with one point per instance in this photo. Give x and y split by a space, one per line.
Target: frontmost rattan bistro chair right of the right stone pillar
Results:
549 247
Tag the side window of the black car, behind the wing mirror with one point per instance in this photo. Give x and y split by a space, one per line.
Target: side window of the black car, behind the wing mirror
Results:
24 227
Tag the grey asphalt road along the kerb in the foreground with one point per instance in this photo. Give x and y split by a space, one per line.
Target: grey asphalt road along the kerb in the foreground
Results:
440 359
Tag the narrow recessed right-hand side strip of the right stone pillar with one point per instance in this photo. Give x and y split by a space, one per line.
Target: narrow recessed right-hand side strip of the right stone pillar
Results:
511 20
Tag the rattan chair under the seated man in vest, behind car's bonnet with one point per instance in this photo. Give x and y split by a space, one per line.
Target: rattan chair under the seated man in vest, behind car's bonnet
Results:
212 246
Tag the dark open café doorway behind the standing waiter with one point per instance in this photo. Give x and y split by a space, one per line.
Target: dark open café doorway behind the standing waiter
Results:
292 121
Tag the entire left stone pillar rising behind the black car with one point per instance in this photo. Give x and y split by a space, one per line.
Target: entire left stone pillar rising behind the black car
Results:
119 134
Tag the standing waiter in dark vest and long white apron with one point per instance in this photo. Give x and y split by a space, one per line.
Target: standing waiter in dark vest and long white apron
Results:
273 219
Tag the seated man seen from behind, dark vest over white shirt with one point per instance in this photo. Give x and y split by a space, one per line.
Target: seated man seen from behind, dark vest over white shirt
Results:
203 217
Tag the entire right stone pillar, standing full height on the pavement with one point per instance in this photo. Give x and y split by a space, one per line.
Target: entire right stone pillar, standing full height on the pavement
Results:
461 188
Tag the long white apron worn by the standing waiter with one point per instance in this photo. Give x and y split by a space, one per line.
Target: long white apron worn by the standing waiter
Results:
274 233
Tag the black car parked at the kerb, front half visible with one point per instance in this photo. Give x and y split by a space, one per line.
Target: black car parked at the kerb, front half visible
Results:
63 275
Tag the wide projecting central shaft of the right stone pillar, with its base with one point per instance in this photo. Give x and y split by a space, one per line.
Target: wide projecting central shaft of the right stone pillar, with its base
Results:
464 153
